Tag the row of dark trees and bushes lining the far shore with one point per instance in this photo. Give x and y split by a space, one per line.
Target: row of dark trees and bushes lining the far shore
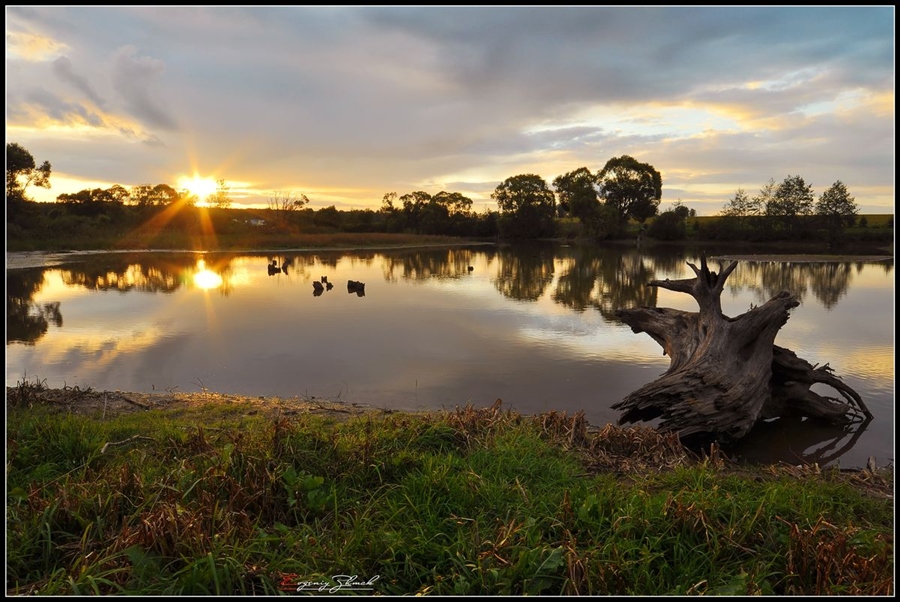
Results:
619 198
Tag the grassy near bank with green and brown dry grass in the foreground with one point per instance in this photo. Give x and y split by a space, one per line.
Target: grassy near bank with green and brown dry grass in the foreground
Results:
243 498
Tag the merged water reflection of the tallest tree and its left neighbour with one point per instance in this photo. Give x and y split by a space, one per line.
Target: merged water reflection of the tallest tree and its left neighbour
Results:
607 279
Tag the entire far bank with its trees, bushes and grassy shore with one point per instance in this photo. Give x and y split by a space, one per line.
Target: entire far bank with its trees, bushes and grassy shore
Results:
618 202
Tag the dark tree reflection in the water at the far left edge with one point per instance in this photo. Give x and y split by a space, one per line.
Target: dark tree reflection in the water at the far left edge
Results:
27 321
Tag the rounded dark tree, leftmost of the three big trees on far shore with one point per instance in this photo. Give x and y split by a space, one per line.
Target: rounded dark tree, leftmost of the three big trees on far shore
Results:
527 207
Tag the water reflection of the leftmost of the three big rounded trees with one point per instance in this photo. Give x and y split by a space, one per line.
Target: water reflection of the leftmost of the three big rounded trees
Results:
524 272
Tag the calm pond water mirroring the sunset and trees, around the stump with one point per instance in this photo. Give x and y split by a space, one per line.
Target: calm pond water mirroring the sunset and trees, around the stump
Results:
433 328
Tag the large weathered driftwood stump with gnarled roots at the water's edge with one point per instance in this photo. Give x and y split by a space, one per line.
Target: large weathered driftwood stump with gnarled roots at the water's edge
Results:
726 373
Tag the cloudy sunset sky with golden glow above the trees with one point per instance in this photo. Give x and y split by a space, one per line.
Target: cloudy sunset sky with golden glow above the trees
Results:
346 104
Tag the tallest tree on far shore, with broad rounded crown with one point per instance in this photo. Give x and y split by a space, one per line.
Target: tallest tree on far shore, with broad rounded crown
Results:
633 188
